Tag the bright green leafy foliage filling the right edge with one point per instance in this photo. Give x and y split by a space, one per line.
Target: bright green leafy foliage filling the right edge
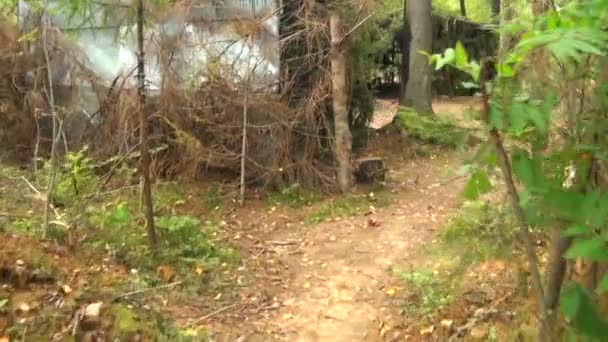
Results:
574 38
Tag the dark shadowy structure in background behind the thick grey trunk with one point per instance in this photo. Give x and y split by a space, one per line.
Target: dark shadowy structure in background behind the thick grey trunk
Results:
480 40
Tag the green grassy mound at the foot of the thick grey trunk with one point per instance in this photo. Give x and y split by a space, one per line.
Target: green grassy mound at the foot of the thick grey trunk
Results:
435 130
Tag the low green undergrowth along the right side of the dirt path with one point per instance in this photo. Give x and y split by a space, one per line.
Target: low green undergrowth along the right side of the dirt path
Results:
479 232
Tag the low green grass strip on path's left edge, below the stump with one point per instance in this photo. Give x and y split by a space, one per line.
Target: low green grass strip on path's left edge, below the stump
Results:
349 205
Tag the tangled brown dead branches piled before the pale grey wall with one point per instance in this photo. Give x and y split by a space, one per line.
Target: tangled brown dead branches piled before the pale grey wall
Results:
199 128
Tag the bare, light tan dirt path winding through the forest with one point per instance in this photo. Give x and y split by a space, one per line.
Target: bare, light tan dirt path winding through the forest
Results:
341 277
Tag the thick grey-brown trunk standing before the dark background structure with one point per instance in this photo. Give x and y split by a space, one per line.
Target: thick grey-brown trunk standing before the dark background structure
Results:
418 92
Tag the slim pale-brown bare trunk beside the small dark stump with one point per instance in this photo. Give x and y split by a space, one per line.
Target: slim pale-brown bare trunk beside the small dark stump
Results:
340 102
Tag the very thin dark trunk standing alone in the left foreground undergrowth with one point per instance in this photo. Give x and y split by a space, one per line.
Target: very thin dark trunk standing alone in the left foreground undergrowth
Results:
144 167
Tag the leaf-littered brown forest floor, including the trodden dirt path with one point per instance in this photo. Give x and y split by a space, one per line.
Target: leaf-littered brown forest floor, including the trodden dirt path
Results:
376 265
